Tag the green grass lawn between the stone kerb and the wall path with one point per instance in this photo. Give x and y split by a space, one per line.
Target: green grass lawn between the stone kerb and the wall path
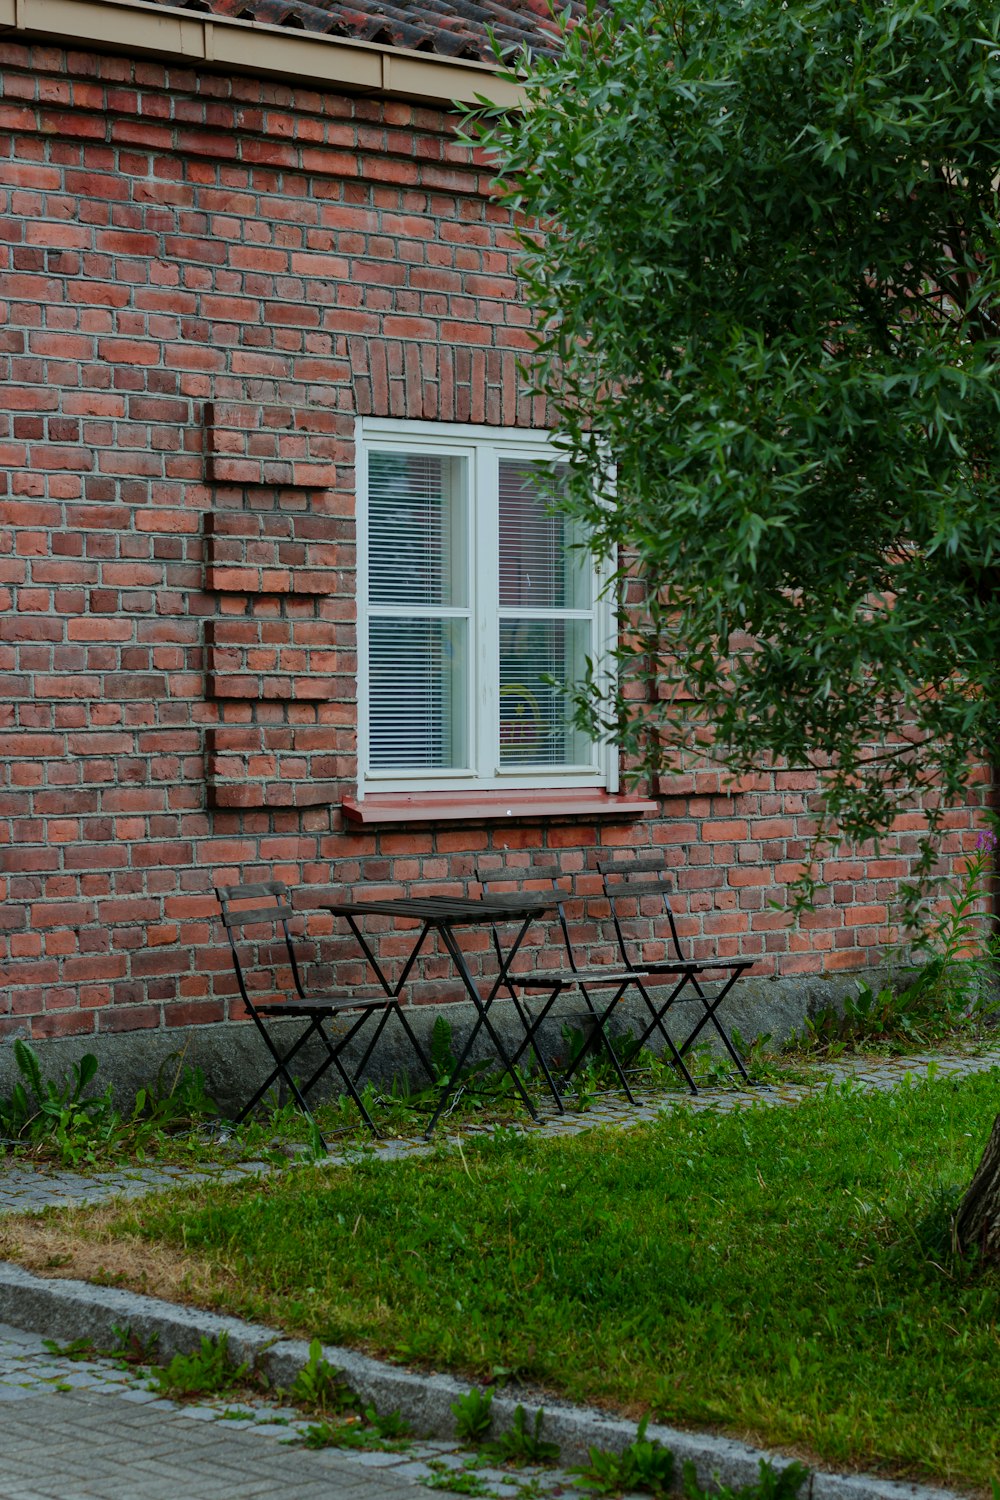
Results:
782 1274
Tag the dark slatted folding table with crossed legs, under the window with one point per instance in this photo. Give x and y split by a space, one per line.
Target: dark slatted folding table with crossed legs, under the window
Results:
445 916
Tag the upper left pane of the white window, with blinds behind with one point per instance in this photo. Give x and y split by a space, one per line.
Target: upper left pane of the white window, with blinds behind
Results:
416 530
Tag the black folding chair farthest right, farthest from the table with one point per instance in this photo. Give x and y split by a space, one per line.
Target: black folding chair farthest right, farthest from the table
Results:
645 880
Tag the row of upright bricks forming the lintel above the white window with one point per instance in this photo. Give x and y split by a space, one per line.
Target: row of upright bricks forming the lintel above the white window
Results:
424 382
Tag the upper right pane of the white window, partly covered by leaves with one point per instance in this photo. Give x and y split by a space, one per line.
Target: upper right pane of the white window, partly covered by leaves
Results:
539 568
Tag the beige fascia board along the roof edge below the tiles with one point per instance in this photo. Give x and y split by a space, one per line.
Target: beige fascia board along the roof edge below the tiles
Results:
250 47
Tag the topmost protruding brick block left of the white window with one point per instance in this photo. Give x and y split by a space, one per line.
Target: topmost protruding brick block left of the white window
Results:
257 443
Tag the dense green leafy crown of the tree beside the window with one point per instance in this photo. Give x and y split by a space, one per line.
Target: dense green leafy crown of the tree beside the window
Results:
762 241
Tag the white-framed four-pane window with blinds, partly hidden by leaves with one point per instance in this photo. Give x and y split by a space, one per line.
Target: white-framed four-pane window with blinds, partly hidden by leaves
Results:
473 599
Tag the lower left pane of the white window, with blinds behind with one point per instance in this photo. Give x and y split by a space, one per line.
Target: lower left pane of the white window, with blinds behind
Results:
416 676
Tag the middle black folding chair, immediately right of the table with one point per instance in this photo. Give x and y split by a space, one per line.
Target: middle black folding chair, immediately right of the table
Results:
588 982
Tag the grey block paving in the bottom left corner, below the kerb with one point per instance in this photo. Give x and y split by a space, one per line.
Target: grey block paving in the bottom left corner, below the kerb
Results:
92 1430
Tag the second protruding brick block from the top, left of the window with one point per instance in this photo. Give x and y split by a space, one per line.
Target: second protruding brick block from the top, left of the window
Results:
265 551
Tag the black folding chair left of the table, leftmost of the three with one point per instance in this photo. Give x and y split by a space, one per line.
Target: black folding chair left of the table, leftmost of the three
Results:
272 910
